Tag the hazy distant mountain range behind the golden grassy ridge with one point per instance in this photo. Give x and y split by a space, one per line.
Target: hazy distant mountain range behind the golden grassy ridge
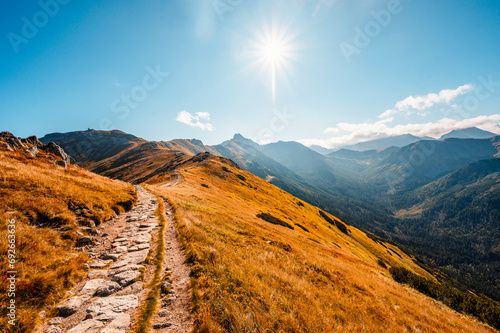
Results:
376 190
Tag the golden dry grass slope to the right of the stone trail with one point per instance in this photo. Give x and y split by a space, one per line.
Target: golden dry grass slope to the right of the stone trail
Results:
253 276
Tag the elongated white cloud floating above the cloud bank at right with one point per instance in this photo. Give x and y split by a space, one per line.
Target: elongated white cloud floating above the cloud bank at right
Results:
418 104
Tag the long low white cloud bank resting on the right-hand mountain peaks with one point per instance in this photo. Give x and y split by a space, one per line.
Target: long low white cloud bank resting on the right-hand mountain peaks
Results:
379 130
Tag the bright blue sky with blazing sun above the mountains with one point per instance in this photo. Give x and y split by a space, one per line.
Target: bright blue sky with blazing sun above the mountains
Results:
345 70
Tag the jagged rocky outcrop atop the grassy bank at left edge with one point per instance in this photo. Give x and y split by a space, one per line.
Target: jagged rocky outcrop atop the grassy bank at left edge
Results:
32 147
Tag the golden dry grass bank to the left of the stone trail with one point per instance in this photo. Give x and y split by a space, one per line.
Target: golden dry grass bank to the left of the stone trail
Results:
46 201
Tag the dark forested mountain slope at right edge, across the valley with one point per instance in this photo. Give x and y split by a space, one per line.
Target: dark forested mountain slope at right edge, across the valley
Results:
459 213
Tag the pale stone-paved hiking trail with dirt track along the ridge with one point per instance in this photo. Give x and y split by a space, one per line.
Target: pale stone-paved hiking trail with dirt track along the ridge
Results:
112 296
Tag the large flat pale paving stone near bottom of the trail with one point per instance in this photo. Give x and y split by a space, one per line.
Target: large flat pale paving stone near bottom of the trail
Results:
111 307
